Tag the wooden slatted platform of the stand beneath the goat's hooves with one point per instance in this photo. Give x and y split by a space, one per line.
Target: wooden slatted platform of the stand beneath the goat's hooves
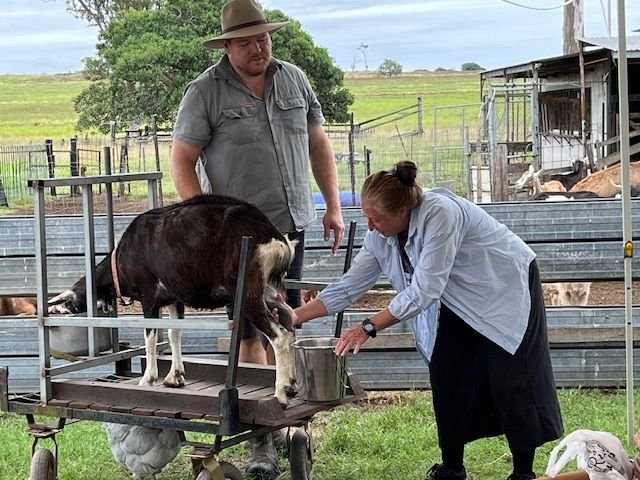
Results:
197 400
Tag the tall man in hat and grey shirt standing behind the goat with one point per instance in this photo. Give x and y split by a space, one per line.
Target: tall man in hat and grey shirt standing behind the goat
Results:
250 126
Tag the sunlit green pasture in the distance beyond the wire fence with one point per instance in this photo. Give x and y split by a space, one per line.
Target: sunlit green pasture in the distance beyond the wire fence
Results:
37 107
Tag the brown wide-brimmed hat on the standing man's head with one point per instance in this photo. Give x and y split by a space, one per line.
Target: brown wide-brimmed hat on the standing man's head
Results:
242 18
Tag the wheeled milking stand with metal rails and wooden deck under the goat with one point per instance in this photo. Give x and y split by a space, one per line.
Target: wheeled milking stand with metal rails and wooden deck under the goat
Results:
231 402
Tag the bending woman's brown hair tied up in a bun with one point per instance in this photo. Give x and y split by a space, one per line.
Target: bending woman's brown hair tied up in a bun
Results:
393 190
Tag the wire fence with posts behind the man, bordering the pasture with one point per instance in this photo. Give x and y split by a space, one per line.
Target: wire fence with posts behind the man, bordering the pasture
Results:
441 155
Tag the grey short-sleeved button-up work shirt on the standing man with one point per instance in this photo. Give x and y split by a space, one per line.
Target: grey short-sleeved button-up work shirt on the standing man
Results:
254 150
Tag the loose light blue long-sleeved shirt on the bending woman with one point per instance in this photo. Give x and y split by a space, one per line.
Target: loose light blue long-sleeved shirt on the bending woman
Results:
461 256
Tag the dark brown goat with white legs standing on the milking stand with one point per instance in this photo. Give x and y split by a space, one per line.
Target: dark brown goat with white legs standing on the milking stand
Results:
187 254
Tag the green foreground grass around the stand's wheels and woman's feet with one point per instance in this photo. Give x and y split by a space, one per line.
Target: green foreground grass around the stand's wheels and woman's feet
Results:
394 438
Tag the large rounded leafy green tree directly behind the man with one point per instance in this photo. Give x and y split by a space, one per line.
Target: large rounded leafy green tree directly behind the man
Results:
145 58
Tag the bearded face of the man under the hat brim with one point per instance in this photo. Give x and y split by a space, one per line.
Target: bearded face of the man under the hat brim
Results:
249 55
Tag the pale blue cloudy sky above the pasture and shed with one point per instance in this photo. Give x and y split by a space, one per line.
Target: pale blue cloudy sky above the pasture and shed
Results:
39 36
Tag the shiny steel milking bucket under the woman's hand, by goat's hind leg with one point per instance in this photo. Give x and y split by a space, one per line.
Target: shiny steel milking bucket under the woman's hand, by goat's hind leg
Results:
321 374
